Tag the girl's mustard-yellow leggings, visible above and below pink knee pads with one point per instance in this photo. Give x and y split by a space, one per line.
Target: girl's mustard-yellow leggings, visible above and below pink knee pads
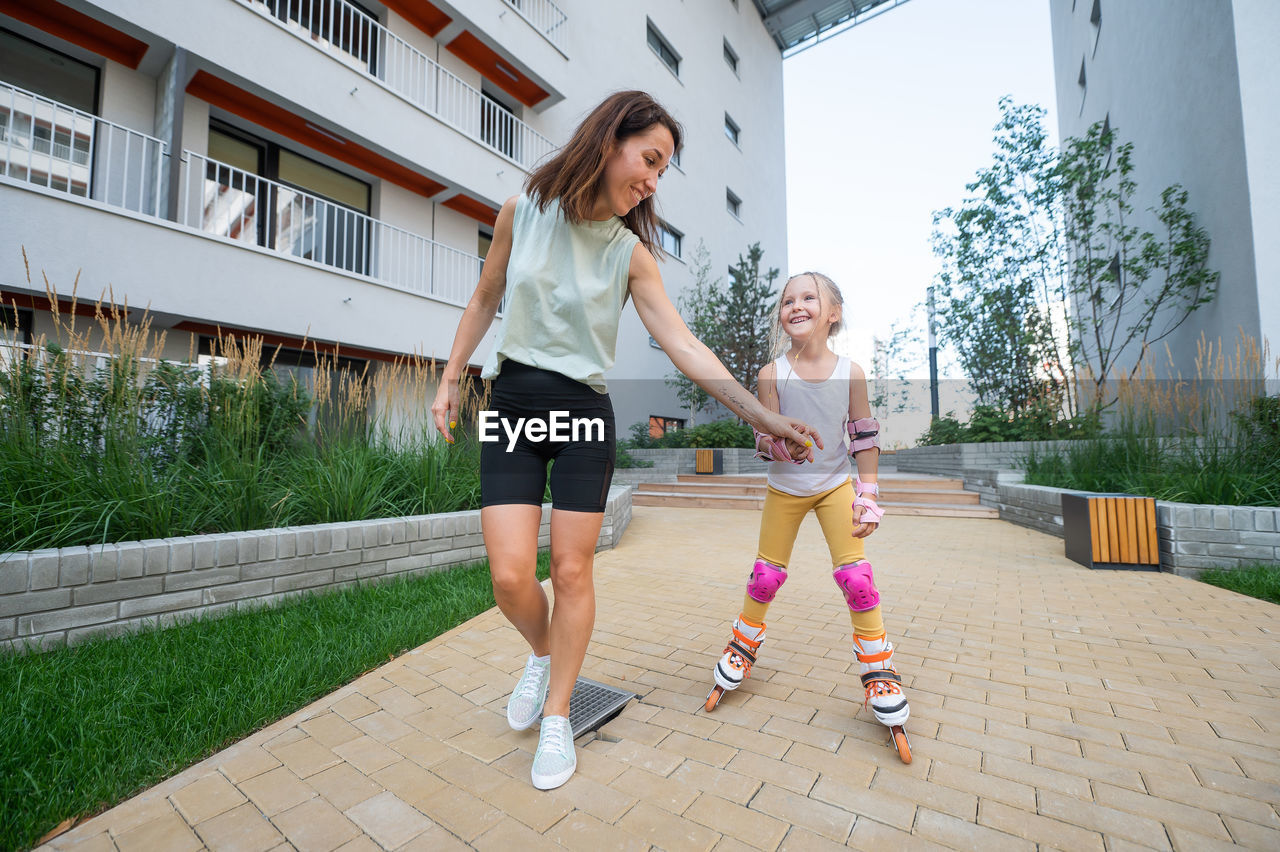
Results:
779 526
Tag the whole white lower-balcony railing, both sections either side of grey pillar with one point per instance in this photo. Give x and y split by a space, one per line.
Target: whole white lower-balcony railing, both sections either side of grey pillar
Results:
85 158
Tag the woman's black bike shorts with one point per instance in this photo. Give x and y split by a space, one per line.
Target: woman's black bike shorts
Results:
538 416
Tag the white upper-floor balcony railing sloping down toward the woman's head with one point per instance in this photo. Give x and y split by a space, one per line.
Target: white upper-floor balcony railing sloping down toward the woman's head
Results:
355 39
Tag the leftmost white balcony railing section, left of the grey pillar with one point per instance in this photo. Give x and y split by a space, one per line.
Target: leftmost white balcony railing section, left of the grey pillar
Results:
57 146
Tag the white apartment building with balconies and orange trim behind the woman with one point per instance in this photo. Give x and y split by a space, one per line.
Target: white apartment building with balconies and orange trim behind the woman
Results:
330 171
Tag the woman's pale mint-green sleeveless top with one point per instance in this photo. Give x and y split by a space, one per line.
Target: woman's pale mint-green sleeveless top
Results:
566 286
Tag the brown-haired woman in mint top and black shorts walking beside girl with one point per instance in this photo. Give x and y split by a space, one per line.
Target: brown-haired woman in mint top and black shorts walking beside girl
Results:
568 254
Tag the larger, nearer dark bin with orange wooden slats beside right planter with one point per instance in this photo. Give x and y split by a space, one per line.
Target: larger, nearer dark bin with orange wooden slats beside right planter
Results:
1112 532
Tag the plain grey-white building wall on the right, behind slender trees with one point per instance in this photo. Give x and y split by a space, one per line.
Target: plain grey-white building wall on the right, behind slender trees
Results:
1192 84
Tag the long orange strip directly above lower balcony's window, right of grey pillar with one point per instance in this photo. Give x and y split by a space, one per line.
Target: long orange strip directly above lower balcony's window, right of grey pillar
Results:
263 113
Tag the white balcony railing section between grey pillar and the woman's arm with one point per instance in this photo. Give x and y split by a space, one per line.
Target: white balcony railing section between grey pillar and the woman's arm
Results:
231 204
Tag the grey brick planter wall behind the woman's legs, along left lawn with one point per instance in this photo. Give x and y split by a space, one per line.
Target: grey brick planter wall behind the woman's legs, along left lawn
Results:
72 594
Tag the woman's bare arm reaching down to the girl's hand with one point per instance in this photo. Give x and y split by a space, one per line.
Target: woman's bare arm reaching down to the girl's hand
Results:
693 359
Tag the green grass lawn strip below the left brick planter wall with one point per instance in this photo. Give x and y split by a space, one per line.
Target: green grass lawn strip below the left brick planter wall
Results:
86 727
